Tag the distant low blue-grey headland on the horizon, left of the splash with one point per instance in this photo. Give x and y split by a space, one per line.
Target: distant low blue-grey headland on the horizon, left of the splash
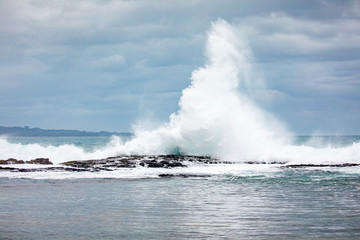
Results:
39 132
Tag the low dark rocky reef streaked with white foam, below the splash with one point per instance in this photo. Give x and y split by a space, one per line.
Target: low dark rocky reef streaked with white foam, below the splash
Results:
145 161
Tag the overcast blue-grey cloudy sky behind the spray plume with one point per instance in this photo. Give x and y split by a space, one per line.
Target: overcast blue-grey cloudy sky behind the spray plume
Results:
106 65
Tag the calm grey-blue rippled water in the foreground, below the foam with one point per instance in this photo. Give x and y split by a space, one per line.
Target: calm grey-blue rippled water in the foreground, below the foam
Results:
296 204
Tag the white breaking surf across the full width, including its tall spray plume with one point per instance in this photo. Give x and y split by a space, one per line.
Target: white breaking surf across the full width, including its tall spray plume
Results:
216 117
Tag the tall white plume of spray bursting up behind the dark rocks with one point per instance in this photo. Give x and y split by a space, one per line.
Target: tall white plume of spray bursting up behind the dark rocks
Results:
215 118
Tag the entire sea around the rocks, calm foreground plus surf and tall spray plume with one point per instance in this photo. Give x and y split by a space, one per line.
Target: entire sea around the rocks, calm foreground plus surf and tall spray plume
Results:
218 117
